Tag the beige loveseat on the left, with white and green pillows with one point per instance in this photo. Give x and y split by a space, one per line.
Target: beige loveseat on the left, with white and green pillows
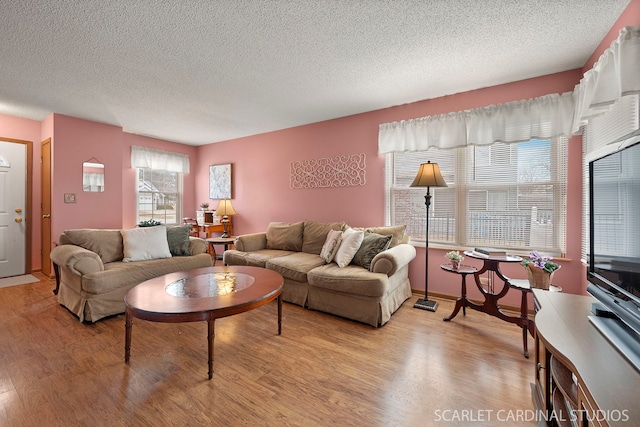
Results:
96 268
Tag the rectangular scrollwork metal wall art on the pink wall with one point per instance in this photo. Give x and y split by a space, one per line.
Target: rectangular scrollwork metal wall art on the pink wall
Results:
339 171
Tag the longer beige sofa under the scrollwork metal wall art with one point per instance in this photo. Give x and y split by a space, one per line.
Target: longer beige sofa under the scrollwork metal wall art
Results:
369 289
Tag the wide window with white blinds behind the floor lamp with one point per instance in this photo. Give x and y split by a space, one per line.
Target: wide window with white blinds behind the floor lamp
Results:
509 196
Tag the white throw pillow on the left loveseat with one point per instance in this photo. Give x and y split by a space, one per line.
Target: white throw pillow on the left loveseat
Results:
145 243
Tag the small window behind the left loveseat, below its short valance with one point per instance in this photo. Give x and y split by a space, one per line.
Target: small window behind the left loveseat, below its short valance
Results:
159 195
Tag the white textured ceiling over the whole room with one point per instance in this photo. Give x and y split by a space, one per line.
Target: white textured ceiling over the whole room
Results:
205 71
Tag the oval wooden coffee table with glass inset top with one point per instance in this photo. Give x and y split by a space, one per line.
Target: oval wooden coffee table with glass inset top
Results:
202 294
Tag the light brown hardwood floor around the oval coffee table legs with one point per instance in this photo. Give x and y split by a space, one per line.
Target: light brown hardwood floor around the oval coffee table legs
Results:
323 370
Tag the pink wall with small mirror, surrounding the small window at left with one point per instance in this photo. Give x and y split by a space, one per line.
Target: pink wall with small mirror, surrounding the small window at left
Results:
77 141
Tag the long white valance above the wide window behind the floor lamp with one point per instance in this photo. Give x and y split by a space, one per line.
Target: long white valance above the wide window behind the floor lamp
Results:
545 117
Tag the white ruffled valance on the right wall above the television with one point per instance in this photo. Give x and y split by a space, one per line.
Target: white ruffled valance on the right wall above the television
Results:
616 74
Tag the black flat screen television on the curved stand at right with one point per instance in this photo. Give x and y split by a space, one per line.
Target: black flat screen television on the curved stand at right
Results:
614 246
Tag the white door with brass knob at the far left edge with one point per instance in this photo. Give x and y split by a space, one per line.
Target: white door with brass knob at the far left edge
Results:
12 209
